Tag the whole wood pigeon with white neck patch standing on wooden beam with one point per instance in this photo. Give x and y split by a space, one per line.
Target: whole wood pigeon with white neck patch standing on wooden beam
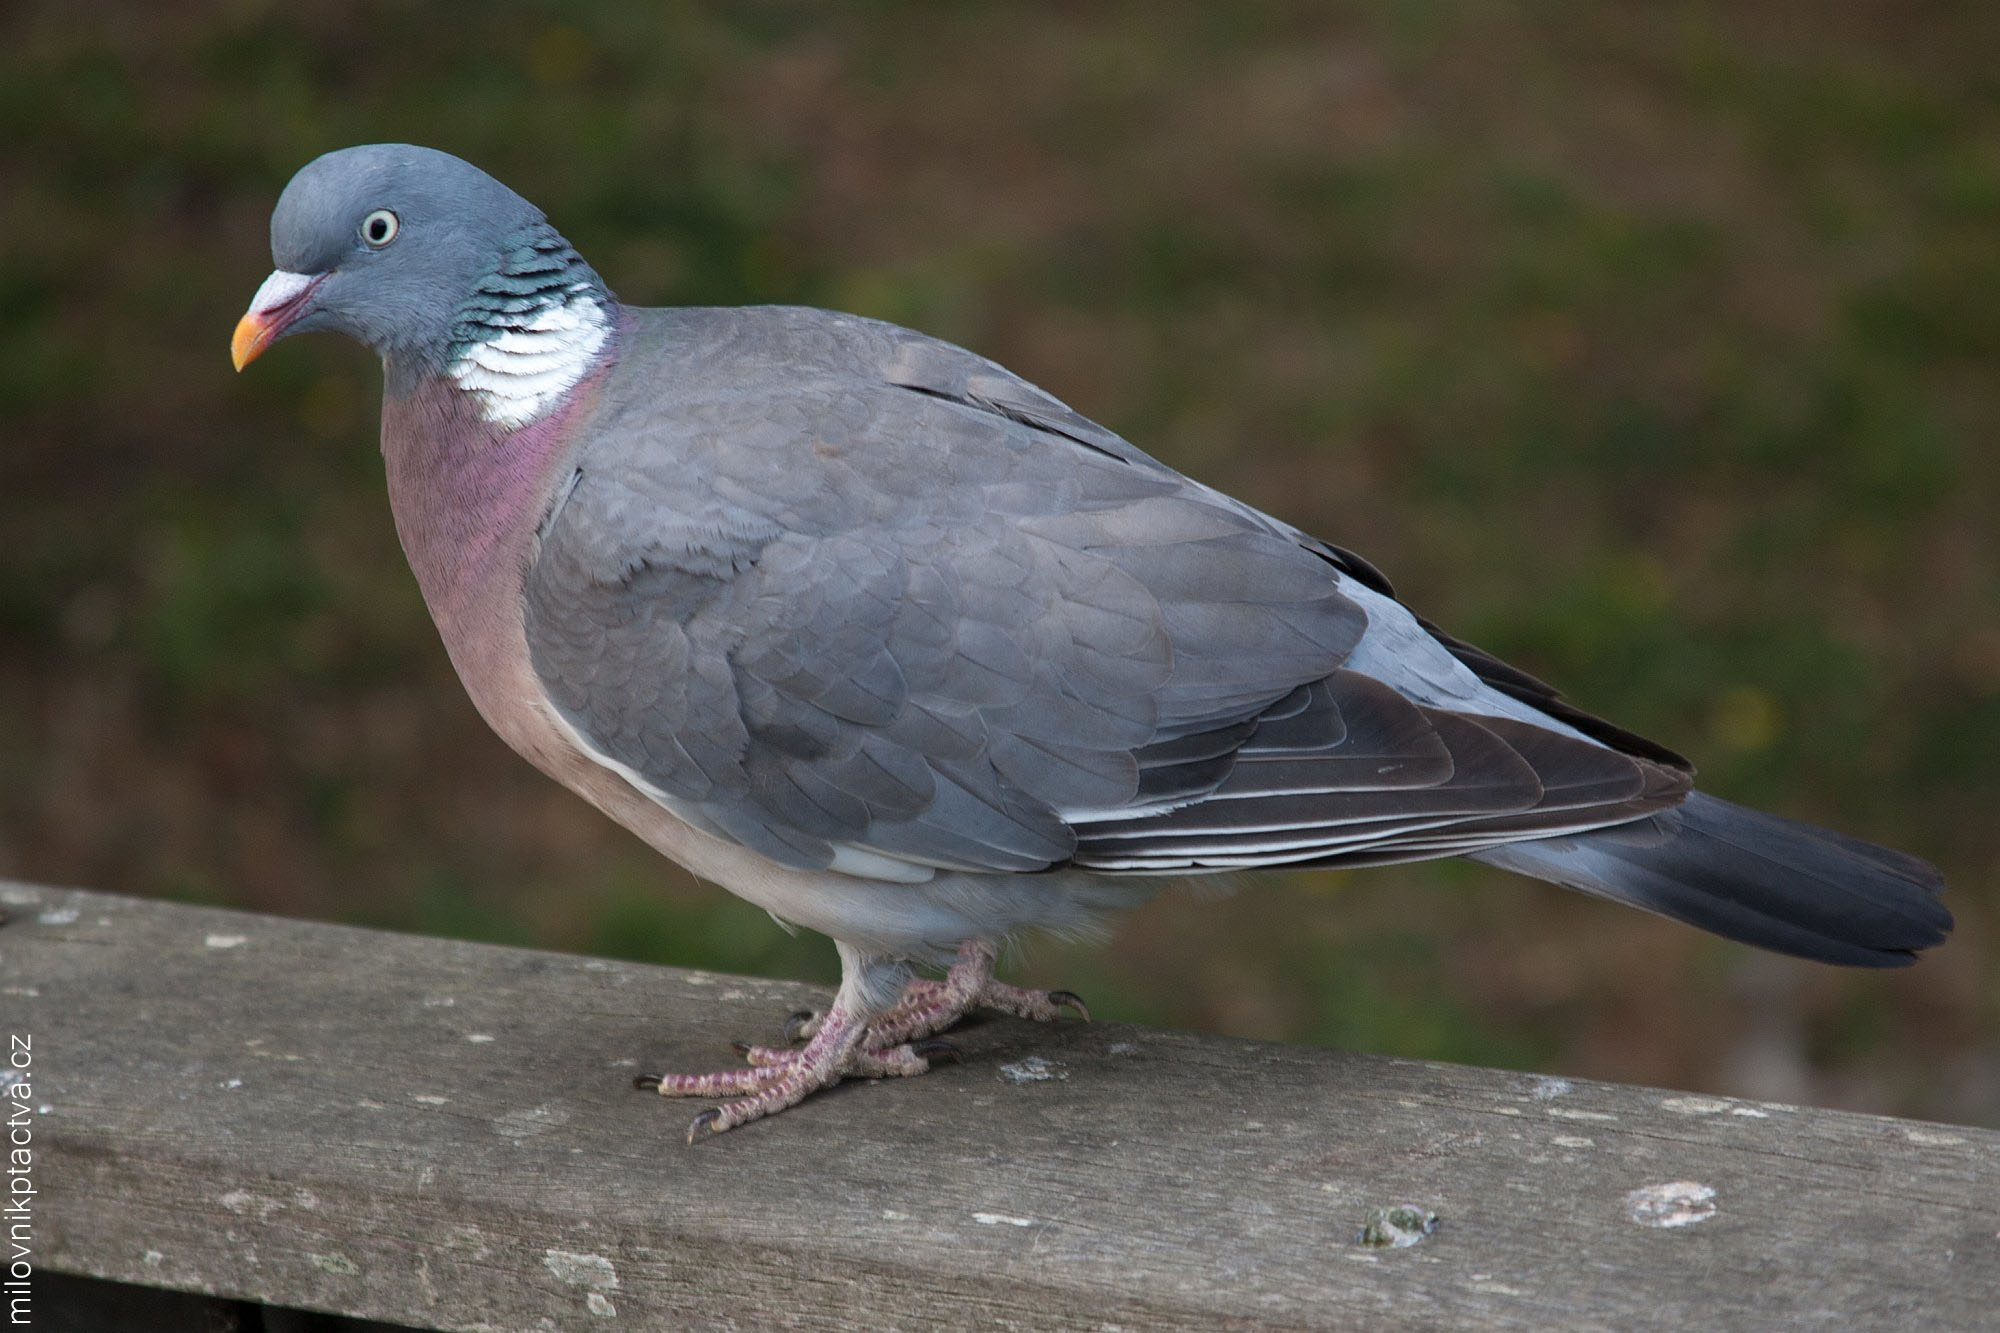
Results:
903 649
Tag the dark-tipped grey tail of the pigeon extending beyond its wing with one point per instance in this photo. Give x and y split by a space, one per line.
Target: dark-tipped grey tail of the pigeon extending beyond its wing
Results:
1753 878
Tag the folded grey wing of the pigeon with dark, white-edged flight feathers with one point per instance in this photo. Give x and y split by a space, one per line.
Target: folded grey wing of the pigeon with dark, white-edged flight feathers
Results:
931 619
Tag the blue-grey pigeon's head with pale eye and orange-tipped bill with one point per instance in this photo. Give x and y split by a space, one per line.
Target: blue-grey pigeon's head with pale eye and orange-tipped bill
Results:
387 243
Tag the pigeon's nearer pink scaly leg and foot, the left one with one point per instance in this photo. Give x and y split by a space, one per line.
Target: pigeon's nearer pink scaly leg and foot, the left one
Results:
839 1050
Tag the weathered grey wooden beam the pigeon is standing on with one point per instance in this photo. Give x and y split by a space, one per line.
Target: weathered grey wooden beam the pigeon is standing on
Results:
445 1136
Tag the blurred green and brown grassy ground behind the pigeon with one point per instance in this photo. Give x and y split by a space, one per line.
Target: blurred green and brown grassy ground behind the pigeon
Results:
1647 345
